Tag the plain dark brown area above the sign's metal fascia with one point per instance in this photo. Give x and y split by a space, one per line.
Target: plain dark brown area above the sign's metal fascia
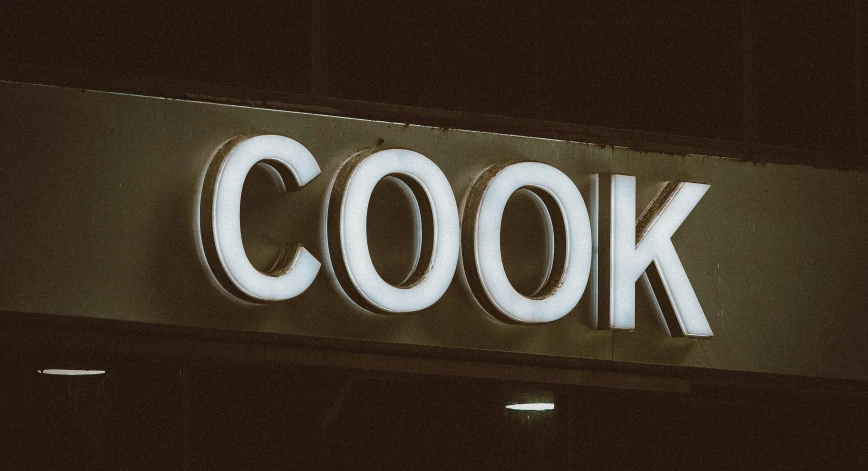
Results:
778 73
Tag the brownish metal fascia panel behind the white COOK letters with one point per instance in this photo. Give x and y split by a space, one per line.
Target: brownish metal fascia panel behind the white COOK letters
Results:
97 202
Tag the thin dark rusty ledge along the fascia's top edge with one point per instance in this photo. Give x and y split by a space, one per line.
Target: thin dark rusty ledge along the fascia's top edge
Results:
633 139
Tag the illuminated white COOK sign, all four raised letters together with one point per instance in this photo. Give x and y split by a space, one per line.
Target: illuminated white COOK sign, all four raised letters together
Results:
601 240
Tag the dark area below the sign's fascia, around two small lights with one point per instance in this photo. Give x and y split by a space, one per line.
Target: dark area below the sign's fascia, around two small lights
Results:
165 413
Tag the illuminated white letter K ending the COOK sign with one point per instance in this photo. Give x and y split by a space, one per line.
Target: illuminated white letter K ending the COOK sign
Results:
622 260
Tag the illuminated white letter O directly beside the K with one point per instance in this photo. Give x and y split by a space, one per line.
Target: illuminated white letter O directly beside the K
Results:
480 246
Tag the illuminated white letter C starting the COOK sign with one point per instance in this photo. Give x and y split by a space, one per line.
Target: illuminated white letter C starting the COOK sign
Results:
220 218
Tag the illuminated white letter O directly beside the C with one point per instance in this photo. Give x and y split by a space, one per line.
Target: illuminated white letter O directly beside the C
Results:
348 238
